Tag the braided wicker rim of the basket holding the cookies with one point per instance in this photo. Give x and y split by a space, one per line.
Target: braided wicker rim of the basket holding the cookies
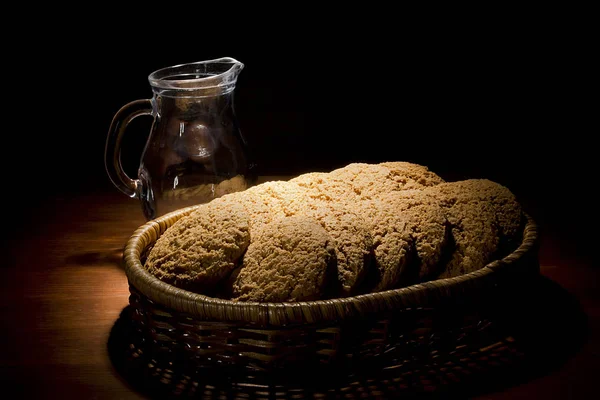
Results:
281 314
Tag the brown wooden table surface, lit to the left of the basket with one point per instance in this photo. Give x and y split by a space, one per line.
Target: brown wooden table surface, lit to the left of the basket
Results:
63 289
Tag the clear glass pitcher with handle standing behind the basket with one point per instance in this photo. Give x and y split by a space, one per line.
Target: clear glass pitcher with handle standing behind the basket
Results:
195 151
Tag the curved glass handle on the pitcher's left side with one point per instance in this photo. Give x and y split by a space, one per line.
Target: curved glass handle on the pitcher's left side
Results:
112 151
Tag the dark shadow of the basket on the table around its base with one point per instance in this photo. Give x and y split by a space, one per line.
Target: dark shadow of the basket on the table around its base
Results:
549 327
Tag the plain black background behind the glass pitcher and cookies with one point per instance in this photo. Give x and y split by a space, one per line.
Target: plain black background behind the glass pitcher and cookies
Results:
508 103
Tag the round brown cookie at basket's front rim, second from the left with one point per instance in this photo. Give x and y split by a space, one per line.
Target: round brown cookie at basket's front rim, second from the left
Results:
289 259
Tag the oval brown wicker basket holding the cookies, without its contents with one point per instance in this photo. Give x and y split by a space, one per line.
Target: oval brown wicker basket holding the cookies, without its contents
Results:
430 331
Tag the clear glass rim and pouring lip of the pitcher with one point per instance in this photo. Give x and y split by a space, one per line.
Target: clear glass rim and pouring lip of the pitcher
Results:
159 78
